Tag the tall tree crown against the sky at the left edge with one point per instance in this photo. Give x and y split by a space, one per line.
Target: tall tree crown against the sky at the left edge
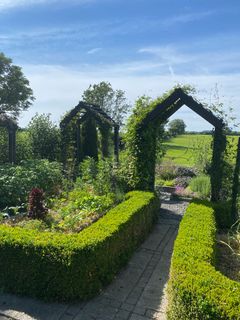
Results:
15 92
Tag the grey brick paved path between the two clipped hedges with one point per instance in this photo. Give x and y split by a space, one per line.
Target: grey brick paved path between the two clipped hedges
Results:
138 292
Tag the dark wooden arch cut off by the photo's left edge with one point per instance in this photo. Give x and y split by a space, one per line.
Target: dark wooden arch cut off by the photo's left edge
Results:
11 127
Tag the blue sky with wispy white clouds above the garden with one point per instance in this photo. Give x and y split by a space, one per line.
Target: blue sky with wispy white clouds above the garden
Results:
142 47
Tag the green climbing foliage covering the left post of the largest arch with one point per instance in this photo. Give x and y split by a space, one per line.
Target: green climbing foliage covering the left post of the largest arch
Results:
141 143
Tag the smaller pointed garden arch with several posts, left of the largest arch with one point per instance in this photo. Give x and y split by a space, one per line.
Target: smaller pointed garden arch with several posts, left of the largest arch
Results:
77 116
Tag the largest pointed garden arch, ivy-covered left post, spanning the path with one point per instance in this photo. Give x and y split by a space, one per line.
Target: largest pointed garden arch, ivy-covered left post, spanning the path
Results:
146 140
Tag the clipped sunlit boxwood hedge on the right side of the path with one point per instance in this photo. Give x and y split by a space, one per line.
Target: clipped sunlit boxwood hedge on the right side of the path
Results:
196 289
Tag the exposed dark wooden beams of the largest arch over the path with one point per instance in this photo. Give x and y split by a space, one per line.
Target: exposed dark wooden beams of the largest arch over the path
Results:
167 108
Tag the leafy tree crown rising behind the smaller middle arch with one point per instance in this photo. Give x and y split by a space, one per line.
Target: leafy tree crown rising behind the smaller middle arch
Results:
113 102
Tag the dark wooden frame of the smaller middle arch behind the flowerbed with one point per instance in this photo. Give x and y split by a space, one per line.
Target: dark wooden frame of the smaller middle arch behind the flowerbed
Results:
79 114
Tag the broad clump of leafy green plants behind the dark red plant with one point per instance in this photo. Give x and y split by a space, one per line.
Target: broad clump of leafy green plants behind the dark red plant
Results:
17 181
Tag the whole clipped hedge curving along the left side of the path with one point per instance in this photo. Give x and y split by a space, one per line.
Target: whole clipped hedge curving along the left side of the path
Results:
56 266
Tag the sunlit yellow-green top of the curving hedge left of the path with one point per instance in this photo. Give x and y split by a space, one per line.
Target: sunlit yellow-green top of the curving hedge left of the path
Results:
90 236
